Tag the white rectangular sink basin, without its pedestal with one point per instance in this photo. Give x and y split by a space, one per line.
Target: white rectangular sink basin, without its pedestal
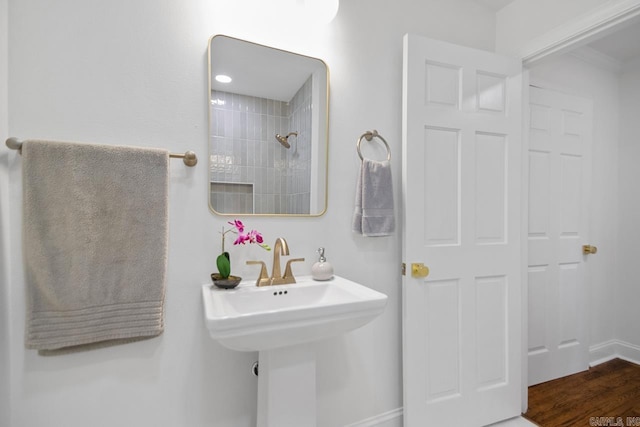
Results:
251 318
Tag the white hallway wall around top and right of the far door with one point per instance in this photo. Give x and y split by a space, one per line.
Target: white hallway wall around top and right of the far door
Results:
577 77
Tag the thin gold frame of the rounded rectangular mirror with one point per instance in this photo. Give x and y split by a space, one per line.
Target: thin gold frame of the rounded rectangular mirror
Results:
210 122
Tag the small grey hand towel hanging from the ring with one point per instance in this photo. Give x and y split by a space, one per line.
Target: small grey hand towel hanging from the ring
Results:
374 211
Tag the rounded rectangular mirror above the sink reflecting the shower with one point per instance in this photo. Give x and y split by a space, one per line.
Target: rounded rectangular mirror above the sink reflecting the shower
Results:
268 126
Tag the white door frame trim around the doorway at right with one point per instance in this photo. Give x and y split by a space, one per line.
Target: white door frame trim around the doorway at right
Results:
596 24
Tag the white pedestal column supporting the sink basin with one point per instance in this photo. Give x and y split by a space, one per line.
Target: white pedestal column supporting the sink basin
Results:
287 387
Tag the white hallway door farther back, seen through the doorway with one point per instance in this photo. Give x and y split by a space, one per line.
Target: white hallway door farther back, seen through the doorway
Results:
559 169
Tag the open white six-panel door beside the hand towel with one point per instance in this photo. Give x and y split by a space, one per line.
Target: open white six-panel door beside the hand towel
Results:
461 194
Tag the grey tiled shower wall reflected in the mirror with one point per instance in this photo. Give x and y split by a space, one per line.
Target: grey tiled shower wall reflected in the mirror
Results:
250 171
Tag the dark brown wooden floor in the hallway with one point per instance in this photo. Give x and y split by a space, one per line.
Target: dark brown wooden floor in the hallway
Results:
589 398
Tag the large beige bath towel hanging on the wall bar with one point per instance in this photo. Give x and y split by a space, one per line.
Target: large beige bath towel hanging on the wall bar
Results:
95 243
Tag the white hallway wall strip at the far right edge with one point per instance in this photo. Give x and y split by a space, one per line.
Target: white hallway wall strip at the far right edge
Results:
628 295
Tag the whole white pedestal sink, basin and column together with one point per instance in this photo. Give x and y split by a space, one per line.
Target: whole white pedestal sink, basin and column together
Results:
280 322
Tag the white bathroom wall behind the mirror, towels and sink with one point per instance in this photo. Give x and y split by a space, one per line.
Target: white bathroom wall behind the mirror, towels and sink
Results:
135 73
